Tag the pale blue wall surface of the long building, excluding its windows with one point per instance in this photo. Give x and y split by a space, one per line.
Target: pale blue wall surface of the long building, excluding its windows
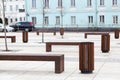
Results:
81 12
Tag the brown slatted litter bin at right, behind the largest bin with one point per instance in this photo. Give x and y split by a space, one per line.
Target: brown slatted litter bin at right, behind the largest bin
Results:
105 43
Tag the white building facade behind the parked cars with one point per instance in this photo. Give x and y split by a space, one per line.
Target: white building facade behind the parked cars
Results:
14 10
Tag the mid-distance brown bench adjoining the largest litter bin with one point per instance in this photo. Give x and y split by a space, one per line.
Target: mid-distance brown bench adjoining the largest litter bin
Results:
49 44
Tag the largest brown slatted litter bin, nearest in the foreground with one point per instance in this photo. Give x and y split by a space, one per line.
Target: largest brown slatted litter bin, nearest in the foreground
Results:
86 57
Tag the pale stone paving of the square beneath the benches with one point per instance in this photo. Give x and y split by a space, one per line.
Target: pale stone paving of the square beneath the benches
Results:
107 65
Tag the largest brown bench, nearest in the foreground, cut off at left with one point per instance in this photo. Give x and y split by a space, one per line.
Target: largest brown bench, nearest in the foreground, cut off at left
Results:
58 58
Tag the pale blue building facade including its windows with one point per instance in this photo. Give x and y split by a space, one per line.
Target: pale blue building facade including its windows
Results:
73 13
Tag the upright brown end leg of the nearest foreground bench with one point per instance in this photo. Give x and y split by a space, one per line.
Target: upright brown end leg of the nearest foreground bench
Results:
59 65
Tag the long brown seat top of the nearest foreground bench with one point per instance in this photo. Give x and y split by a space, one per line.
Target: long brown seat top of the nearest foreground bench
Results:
30 57
